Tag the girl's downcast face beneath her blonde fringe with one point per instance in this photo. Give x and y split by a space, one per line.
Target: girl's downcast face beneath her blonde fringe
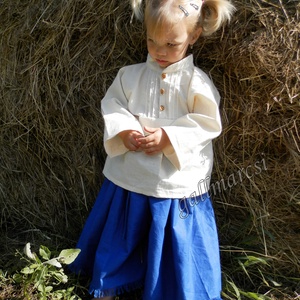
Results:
170 44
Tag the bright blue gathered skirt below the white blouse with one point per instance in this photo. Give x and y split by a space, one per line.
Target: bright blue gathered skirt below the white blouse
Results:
167 246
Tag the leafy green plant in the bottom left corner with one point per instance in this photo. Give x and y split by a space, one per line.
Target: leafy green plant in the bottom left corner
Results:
44 275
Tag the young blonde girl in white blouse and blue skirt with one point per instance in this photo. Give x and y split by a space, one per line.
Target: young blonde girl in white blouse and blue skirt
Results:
153 225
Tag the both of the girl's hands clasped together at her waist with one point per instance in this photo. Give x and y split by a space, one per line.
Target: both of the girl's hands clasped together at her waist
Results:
153 143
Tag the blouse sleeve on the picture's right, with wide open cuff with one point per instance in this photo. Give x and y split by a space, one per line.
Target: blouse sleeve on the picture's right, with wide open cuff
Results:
194 130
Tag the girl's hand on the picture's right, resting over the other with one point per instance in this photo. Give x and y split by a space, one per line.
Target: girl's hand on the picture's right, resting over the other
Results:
155 141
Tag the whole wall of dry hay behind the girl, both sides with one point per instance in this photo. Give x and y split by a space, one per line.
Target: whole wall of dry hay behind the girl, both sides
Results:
57 60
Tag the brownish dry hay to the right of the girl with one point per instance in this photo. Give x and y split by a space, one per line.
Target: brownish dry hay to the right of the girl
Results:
259 76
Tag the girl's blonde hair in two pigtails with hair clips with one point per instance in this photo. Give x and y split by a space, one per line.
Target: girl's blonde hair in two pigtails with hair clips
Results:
210 15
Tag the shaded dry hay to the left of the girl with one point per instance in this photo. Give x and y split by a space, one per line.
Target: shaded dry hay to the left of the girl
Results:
57 60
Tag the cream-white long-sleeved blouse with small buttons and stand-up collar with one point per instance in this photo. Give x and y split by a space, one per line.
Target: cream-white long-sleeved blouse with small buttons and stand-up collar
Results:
183 101
